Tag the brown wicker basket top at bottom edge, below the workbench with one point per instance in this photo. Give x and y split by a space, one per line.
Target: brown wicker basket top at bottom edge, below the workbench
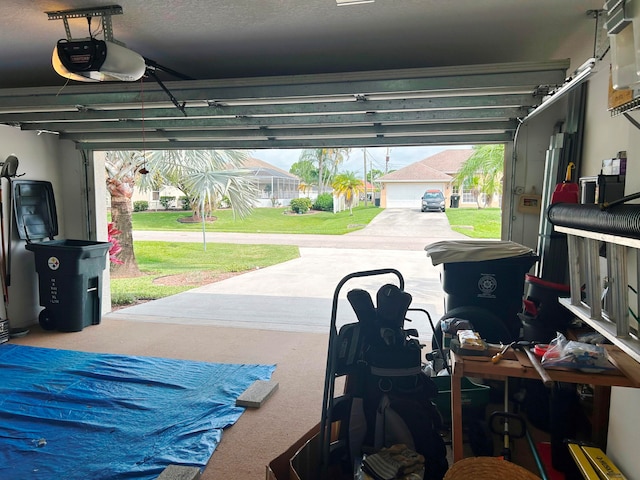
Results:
487 468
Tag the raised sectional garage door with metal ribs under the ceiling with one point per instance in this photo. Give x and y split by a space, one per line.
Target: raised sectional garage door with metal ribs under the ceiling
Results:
468 105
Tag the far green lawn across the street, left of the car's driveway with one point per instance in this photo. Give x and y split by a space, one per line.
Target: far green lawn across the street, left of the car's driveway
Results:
262 220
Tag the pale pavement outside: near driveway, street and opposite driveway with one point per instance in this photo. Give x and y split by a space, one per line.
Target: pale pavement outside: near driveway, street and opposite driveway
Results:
298 295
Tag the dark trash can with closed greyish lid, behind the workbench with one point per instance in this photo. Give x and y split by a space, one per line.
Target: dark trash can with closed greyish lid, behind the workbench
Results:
484 274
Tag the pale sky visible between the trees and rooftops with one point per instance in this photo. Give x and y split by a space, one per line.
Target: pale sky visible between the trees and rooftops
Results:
398 157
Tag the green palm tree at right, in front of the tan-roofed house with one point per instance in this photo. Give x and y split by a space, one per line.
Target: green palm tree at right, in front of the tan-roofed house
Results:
483 171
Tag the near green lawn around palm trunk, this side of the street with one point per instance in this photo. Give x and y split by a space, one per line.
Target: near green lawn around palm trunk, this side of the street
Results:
162 259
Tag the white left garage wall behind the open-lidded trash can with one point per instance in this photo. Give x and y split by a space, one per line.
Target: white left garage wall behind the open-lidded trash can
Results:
45 157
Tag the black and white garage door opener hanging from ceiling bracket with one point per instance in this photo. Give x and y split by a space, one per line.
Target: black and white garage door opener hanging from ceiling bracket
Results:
93 60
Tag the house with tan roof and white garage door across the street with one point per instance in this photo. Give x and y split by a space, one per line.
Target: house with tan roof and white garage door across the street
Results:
404 188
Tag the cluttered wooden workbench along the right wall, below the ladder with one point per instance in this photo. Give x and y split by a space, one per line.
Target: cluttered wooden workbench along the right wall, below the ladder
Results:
516 364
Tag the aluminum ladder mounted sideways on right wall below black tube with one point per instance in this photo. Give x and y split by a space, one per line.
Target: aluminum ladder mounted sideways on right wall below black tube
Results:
605 305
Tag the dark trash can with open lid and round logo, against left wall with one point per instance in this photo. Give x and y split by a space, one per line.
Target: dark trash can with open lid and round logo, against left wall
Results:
69 271
